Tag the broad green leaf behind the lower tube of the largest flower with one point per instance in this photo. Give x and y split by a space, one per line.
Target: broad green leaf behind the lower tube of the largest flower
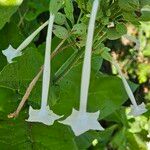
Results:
106 93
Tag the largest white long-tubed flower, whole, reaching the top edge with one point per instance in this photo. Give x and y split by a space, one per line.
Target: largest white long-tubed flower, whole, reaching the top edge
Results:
82 121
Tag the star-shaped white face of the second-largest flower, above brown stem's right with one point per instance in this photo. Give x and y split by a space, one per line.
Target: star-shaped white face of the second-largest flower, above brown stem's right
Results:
45 116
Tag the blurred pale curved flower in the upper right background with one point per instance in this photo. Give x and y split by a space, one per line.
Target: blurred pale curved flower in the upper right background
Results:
133 39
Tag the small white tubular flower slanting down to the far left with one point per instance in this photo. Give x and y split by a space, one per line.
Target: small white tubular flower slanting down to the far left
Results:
12 53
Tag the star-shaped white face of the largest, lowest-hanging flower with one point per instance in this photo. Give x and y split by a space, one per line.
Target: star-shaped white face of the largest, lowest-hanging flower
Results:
81 122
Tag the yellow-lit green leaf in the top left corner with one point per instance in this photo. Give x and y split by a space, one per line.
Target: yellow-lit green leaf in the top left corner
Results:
7 9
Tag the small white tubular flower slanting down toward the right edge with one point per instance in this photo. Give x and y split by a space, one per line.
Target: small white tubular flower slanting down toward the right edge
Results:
136 109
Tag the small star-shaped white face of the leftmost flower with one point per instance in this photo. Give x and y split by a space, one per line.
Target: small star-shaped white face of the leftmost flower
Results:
11 53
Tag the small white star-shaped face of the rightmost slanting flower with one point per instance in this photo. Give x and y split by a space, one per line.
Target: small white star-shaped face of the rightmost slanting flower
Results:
137 110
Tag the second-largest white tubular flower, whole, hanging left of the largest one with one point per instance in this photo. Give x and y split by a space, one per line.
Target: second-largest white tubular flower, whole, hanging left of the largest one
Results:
45 115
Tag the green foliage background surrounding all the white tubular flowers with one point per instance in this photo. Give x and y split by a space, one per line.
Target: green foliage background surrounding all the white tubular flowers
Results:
107 94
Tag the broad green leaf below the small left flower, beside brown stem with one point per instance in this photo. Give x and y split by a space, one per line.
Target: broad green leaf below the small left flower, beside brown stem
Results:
17 75
